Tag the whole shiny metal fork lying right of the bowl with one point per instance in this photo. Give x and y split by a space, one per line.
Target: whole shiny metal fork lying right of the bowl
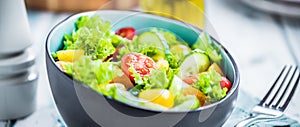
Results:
277 98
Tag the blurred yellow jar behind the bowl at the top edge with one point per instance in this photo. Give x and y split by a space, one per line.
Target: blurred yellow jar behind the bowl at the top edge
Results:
191 11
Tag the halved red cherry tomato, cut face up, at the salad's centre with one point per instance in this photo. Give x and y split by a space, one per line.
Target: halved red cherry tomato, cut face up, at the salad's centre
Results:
140 63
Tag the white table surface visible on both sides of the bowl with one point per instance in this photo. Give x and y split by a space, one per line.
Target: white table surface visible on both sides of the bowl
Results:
260 43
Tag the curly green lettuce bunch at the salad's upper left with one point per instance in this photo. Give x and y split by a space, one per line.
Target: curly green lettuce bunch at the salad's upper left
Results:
94 36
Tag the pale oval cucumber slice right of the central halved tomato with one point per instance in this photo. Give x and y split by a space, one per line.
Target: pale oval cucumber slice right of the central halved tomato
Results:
193 63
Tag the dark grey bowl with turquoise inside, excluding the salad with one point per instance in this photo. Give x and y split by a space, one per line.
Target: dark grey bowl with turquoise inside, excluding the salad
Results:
80 106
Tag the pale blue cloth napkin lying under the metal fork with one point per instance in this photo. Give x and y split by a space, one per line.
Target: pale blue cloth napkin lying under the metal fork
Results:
245 103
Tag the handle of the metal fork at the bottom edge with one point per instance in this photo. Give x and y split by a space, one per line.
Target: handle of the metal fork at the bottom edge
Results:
245 122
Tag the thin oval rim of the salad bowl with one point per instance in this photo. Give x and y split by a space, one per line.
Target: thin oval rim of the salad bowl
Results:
236 75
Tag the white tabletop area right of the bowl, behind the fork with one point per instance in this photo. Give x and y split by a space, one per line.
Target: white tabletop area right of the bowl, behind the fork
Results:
261 43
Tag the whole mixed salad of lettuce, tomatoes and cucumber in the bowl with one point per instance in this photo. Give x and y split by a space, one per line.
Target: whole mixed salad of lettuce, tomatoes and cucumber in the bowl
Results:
153 68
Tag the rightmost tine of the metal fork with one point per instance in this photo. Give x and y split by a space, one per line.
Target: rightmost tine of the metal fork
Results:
285 90
